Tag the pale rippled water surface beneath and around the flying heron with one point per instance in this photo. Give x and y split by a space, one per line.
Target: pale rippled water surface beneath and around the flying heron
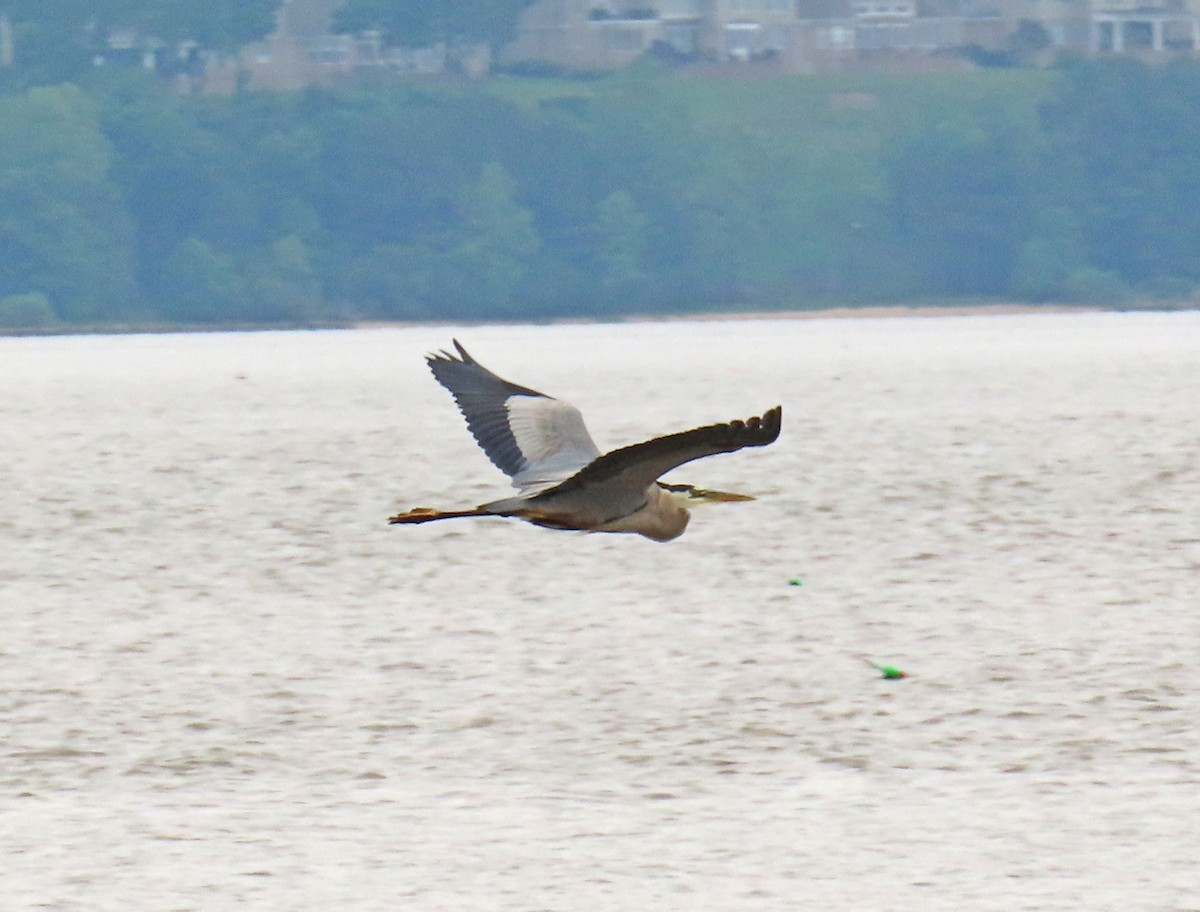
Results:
225 681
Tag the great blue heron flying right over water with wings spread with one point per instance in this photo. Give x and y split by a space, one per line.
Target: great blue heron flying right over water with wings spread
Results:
563 481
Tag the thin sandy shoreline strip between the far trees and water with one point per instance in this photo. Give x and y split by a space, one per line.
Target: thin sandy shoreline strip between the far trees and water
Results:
890 311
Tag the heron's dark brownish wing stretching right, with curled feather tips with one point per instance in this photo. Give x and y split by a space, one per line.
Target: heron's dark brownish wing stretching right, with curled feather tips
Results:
621 478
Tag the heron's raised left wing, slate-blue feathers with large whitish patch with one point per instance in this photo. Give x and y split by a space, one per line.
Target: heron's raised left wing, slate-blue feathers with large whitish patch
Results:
533 439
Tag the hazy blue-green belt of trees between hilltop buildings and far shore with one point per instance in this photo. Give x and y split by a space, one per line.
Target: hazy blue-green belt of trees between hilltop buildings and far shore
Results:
122 203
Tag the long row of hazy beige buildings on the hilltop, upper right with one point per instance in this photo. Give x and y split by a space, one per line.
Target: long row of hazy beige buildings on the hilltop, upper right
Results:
839 35
